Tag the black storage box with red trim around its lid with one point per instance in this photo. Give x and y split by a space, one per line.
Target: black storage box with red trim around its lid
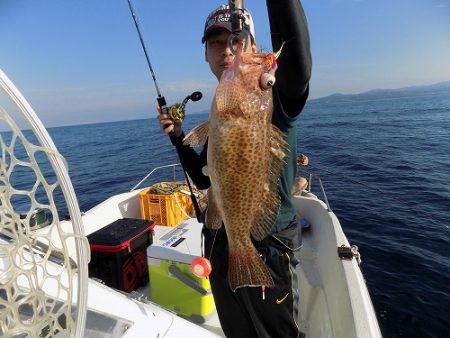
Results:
119 253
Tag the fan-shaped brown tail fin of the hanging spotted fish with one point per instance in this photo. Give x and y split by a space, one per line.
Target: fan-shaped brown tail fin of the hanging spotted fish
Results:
246 268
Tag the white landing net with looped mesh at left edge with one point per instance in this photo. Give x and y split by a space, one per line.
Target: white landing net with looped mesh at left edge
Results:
43 290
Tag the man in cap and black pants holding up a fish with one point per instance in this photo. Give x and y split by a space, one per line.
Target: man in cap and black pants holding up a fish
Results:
252 311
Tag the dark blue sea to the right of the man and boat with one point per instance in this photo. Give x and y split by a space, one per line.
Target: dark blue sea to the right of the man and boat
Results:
386 169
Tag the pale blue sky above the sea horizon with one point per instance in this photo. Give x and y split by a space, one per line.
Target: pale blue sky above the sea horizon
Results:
80 61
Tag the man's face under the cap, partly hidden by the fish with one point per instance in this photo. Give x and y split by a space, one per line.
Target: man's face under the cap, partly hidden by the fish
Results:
218 53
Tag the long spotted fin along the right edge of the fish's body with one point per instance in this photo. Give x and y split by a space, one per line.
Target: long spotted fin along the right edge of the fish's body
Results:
271 198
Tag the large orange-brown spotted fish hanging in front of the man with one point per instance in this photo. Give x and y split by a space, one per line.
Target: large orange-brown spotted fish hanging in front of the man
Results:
245 157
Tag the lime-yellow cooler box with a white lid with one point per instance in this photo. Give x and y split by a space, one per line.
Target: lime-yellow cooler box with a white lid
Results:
172 284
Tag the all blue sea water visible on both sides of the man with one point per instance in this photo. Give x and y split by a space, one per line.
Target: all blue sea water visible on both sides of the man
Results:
385 165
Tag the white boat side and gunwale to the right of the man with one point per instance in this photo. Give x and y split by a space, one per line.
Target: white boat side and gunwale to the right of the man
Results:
334 298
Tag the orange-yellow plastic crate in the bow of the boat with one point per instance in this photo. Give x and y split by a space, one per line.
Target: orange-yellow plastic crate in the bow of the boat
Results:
165 209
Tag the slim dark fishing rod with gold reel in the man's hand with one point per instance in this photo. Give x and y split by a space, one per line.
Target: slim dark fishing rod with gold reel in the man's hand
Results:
175 111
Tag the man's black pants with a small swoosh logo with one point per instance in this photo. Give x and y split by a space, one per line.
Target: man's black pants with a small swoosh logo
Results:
244 313
